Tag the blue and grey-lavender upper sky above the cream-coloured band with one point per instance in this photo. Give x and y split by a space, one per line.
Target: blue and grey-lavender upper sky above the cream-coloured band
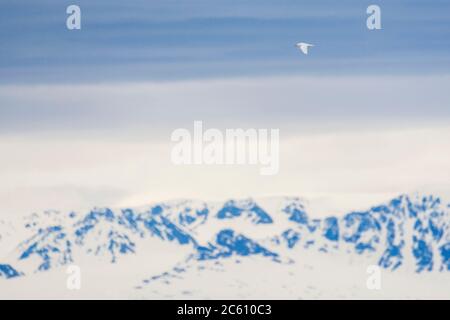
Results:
165 42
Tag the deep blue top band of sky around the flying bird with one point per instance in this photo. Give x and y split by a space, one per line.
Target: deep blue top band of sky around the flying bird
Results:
167 40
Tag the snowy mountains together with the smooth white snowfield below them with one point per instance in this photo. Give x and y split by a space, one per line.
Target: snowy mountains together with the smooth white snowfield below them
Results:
273 248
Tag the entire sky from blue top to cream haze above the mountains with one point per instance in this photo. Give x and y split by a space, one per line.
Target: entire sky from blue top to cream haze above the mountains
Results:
86 115
